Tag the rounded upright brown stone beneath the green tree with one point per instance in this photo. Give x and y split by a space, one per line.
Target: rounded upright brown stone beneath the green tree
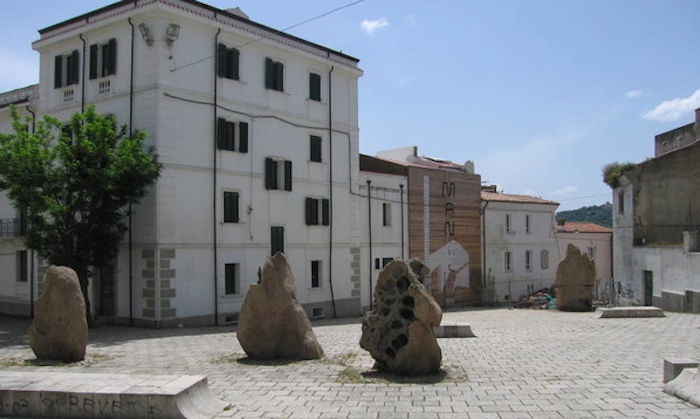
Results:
59 330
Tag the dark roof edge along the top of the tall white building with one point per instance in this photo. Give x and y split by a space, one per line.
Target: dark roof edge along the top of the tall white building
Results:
216 11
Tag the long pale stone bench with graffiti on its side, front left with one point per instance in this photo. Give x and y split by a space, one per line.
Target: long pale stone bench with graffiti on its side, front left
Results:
39 394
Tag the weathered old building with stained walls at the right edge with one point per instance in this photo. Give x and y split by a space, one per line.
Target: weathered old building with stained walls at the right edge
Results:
656 219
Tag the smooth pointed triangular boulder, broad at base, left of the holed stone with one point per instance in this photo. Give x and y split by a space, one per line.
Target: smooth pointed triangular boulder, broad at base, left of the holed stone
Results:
272 324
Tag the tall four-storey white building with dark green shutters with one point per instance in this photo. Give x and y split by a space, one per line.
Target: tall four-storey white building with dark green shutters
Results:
258 134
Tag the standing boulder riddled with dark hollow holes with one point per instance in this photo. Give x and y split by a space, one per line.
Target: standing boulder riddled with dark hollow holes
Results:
398 332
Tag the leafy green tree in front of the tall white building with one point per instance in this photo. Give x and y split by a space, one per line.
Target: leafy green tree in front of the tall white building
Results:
77 182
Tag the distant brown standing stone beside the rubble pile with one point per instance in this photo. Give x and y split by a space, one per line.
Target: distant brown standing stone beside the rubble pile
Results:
575 281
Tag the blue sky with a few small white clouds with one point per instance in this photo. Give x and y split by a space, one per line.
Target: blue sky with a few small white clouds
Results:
539 94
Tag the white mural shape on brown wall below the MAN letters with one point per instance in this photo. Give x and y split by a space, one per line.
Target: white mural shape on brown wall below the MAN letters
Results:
450 265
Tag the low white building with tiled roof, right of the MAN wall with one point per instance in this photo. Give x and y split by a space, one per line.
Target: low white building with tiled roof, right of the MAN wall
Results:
520 253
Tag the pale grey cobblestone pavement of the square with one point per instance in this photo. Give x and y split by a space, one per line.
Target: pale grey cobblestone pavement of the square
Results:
523 364
